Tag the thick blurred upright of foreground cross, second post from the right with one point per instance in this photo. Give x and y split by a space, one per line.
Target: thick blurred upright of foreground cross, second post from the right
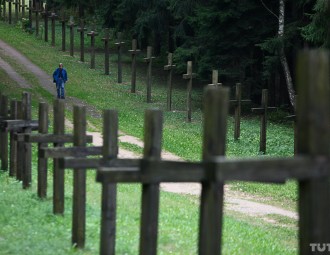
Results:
214 144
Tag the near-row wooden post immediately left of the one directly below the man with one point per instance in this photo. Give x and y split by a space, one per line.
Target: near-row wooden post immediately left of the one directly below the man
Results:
42 162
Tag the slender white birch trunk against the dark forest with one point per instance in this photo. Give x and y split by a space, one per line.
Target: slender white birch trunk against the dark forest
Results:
283 59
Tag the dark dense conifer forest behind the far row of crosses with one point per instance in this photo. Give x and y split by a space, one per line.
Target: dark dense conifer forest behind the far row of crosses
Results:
254 42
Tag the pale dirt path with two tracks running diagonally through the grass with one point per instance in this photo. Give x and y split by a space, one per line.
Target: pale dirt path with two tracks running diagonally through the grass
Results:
233 199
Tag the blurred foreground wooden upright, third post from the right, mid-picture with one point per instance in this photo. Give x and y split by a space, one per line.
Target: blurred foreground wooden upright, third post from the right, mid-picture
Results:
153 128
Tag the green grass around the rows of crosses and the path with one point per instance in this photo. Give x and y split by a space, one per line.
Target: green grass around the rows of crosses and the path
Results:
178 214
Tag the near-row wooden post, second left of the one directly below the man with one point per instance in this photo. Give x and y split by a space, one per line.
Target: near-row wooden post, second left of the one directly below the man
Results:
27 161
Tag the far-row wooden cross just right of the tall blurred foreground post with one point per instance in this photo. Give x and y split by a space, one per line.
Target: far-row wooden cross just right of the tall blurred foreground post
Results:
237 103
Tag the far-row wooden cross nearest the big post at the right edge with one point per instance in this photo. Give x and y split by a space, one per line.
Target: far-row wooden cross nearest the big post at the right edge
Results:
263 119
